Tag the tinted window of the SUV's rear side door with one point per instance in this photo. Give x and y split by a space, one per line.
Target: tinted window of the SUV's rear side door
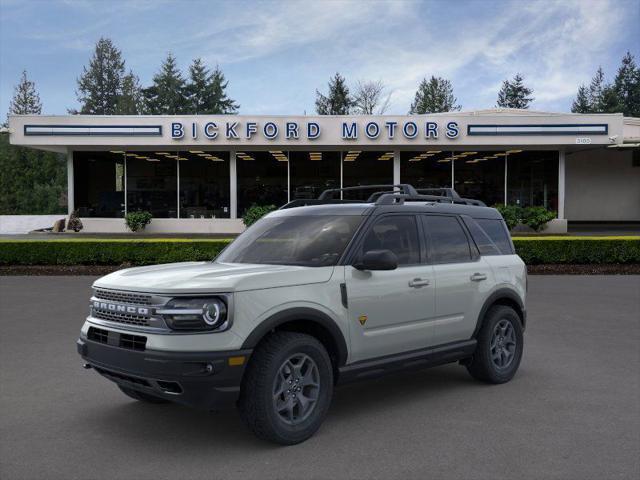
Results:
449 243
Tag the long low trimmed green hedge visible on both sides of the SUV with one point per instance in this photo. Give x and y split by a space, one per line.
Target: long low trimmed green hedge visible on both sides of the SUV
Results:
533 250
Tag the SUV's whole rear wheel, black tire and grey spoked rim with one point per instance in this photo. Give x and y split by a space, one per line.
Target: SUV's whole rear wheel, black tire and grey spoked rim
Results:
500 345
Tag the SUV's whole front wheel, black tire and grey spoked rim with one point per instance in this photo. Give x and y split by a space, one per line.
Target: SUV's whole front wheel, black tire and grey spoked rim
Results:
287 388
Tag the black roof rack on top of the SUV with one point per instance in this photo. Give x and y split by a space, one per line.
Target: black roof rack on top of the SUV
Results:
389 195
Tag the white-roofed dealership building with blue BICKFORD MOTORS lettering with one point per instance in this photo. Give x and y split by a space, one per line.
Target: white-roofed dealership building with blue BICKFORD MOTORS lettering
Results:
200 173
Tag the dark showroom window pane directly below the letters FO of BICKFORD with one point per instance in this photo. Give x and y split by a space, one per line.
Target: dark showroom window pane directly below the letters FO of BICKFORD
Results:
262 179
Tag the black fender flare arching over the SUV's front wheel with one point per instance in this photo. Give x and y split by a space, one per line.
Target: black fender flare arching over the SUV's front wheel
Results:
300 314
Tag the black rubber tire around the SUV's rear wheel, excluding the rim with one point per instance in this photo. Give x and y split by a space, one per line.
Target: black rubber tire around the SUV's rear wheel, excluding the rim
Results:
482 366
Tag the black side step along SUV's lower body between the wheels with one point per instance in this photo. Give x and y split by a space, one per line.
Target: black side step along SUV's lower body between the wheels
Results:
416 359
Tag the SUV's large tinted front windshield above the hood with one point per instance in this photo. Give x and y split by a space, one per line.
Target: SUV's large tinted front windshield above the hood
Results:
310 241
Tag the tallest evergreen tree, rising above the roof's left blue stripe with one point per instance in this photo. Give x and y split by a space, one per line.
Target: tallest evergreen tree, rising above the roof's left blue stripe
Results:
100 85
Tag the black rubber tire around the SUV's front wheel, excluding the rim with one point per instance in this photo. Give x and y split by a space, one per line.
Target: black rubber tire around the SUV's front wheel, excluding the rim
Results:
256 402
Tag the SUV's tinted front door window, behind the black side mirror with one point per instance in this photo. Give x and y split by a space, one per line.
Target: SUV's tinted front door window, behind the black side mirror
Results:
398 233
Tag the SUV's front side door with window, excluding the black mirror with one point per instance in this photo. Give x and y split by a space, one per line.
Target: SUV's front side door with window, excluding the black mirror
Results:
390 311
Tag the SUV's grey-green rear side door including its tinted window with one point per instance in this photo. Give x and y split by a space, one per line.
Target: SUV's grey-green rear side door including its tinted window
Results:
462 278
